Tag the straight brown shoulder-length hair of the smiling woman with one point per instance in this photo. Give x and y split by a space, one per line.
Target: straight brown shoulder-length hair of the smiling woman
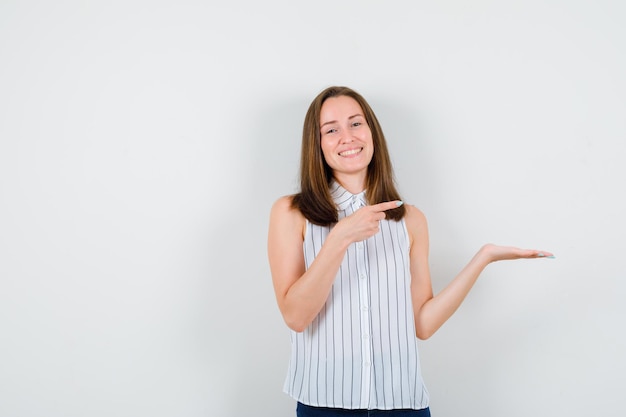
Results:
314 199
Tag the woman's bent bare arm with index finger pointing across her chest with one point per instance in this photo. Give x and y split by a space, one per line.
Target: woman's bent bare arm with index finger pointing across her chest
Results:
300 292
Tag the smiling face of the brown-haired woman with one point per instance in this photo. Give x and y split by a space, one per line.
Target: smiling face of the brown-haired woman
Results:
346 139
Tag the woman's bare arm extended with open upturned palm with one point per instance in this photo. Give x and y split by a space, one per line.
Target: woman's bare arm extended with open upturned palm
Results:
430 311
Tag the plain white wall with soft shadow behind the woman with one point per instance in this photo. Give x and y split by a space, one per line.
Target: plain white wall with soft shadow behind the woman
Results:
142 144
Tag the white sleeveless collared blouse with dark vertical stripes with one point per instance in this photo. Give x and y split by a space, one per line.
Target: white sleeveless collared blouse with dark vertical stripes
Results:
360 352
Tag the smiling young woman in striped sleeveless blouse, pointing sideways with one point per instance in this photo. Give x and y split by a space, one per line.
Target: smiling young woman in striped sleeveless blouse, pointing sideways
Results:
349 264
